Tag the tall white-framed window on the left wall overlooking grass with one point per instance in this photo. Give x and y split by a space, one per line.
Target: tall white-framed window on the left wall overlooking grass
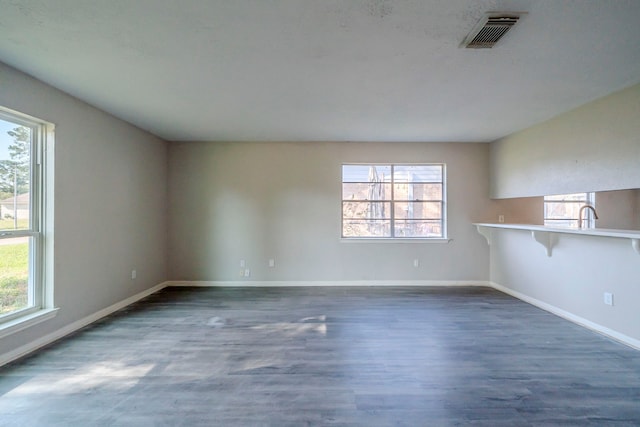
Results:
23 286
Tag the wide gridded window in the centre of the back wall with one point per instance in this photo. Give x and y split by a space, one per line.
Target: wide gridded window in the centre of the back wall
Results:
403 201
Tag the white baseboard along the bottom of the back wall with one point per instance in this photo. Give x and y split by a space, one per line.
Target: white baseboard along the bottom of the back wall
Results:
298 283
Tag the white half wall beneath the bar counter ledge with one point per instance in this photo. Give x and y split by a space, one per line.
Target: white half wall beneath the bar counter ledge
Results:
575 277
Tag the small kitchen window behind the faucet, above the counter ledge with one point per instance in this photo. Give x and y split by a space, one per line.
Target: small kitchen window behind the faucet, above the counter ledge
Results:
563 210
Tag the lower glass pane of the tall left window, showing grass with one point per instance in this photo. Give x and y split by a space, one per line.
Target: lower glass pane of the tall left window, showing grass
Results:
14 274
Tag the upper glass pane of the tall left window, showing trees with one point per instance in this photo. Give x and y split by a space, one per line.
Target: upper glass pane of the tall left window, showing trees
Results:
15 143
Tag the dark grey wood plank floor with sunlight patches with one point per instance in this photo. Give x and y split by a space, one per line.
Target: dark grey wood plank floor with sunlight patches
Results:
326 356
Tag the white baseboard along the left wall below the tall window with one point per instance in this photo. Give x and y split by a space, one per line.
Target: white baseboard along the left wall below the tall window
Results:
54 336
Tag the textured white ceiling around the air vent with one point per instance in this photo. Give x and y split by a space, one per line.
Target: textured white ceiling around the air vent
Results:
366 70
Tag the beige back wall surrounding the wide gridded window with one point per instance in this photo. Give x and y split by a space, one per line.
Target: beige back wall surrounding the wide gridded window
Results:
281 200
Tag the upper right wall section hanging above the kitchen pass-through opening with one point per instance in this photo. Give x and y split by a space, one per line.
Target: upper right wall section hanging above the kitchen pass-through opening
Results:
593 148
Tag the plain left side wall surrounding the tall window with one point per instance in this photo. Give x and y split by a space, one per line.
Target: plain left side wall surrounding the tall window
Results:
110 204
